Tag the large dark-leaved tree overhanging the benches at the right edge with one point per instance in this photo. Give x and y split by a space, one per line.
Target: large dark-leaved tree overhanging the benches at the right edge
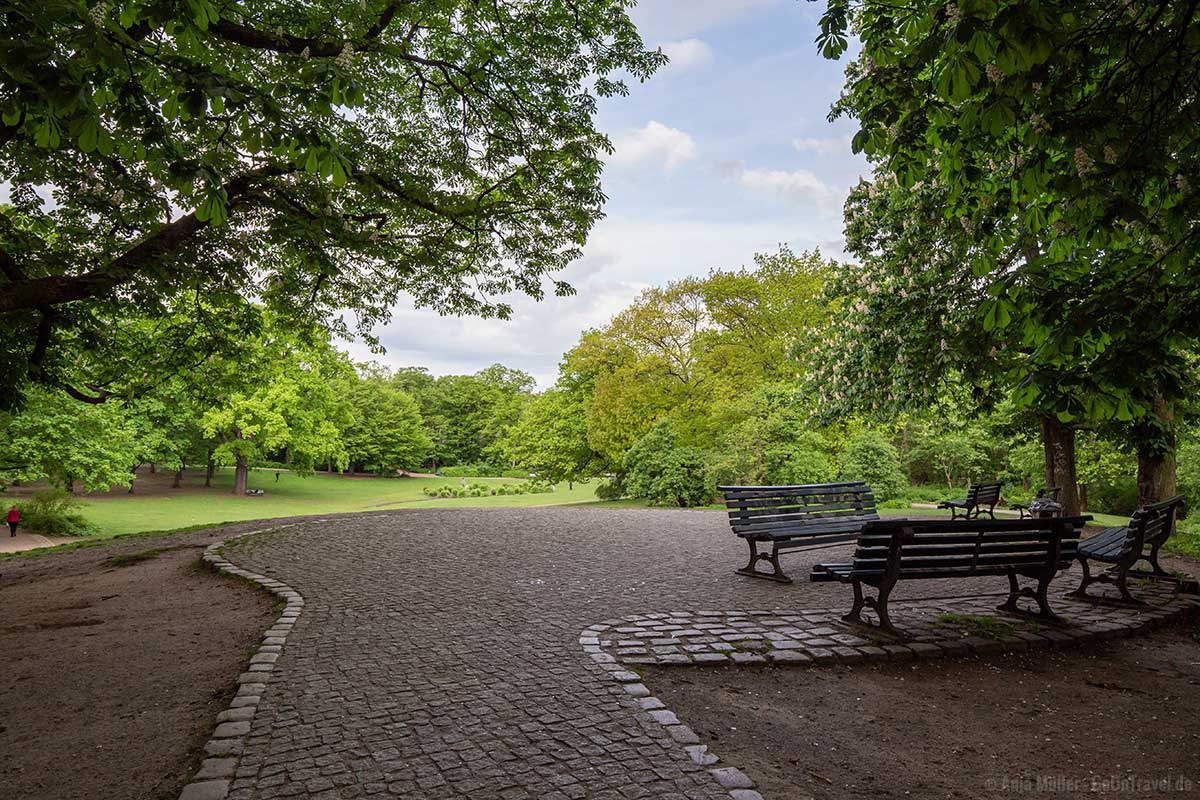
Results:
1065 139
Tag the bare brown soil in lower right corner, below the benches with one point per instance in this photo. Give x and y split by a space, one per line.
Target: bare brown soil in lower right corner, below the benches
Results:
1107 719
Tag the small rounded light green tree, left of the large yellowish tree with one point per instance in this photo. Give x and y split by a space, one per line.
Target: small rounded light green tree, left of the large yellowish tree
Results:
551 438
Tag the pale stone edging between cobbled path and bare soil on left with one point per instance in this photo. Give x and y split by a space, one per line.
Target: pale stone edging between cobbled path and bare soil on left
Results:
225 748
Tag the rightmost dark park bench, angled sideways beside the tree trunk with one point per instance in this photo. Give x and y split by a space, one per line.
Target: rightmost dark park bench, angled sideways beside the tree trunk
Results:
1126 545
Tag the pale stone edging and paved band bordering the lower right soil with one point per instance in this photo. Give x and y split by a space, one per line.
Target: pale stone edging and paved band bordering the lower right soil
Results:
839 647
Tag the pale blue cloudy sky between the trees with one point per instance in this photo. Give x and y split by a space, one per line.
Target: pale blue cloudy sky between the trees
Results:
723 154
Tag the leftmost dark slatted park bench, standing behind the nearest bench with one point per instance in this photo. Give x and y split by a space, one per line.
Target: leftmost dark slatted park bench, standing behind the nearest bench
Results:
788 518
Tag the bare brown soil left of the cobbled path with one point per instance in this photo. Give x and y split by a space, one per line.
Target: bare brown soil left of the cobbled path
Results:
115 663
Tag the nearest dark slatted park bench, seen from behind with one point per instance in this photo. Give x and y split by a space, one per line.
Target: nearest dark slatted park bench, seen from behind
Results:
891 551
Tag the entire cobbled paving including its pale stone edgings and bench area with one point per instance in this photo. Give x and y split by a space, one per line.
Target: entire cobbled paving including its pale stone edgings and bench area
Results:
441 653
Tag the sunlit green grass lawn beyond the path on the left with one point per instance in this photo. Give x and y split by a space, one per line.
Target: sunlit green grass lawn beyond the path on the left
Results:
164 509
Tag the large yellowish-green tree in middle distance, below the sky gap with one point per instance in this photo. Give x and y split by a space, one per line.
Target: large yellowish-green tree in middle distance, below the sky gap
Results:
687 350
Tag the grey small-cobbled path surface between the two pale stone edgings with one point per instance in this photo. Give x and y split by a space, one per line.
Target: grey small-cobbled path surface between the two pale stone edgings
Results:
439 654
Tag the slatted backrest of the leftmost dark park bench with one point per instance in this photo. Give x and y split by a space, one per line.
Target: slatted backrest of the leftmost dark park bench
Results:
781 510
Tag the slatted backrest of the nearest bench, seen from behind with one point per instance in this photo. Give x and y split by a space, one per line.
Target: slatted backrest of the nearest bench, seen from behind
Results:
931 549
